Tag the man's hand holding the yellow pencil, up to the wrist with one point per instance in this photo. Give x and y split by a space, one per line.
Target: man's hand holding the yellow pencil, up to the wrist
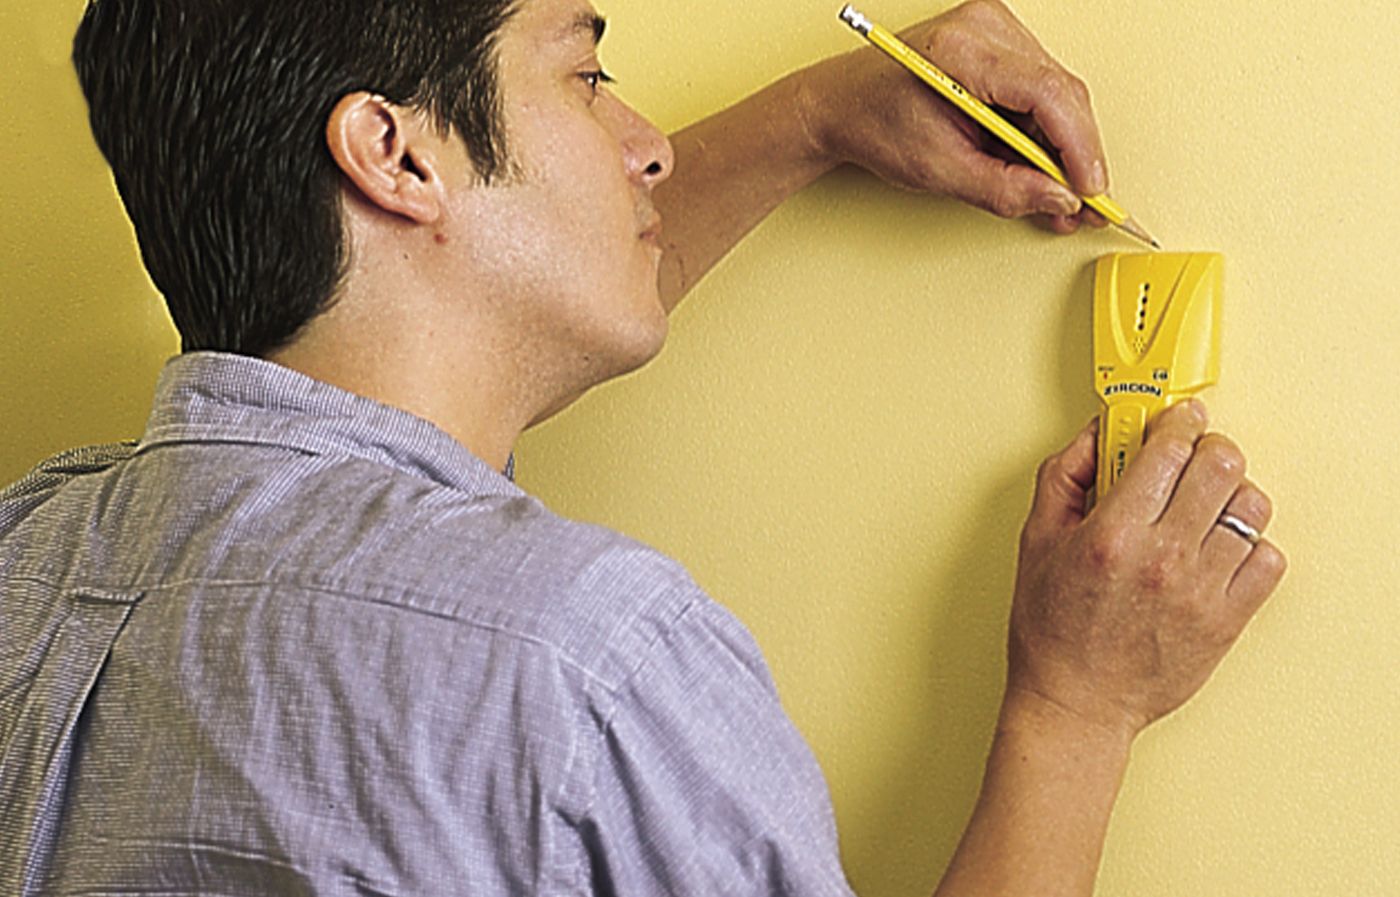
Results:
867 110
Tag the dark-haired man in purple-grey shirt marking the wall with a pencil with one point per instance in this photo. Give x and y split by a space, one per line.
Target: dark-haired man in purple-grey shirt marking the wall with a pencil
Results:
306 637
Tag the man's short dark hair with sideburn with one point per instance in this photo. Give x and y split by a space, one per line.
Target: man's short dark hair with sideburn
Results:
212 114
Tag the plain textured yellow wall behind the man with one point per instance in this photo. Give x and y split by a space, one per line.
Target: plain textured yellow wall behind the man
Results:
841 437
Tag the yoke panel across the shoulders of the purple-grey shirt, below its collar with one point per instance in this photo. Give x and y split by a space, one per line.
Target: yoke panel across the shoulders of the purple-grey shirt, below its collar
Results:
352 531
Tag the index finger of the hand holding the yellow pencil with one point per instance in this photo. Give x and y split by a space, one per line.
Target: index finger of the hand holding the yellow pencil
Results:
1062 107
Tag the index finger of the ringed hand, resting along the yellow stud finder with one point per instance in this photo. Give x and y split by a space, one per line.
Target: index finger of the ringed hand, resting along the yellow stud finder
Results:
1146 489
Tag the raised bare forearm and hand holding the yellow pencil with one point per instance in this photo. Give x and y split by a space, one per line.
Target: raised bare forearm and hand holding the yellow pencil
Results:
738 166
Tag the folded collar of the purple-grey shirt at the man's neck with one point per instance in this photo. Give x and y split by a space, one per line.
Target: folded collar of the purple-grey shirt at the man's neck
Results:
225 398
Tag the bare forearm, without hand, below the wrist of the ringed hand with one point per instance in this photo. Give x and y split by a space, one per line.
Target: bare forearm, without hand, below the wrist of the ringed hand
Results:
1045 807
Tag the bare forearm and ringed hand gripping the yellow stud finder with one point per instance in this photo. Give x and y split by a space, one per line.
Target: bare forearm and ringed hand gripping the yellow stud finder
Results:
1119 618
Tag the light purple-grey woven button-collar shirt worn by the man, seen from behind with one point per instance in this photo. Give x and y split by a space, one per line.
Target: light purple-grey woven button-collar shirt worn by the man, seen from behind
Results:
300 643
